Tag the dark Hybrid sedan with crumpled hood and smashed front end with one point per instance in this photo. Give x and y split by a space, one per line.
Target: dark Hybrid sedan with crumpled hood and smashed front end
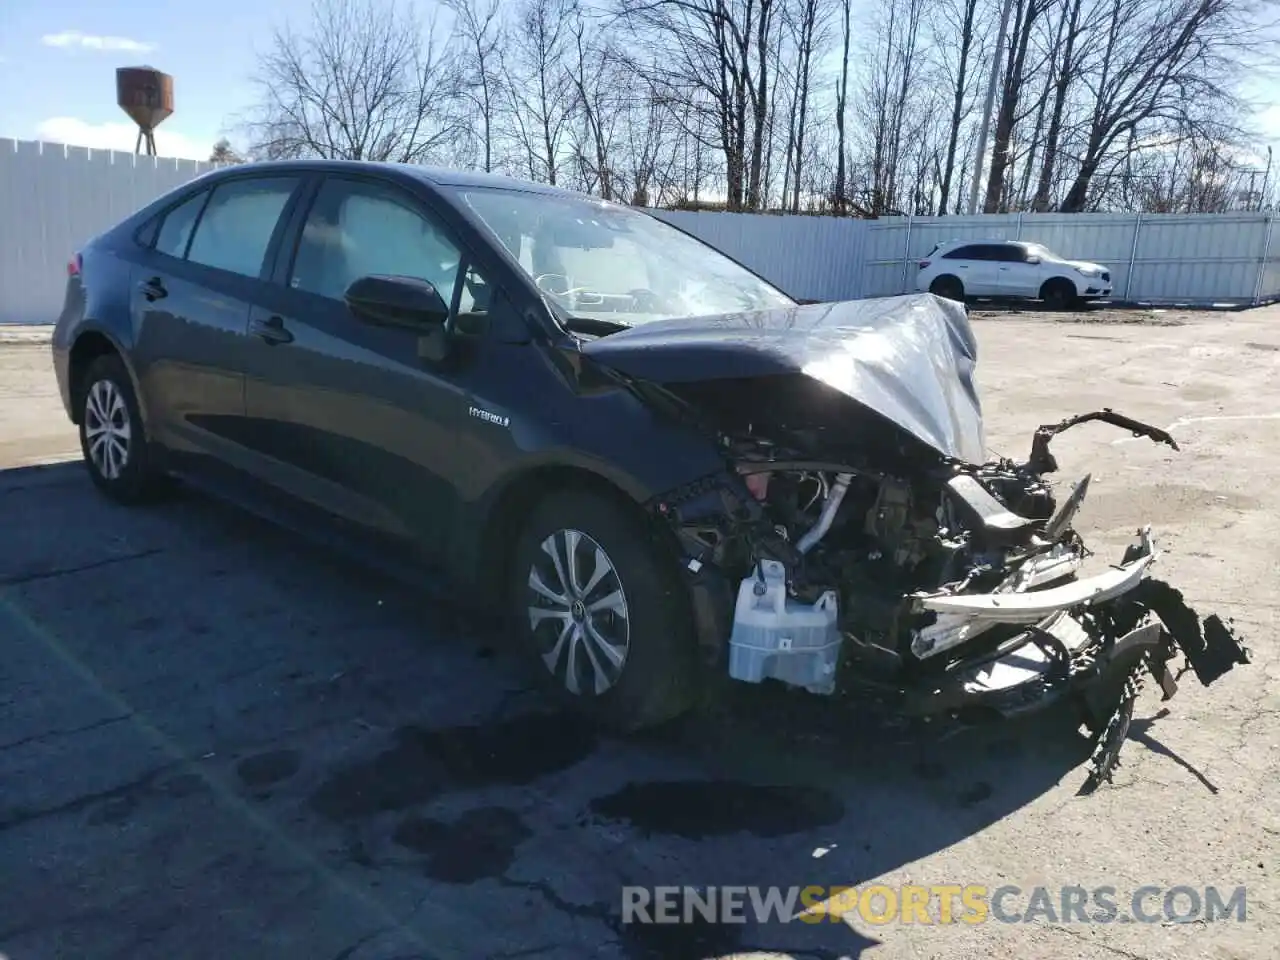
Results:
653 463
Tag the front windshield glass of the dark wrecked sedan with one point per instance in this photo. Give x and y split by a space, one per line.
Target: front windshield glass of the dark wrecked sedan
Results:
604 262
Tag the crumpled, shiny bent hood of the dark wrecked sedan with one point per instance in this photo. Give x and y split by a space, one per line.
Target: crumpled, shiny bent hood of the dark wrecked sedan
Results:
908 359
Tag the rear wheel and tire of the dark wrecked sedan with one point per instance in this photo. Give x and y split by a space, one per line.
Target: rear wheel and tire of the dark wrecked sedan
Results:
120 459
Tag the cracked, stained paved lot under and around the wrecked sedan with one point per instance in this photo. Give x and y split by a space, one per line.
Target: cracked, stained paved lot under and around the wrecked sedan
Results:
217 742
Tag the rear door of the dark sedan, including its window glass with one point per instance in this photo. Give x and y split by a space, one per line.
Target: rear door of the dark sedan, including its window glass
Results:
207 260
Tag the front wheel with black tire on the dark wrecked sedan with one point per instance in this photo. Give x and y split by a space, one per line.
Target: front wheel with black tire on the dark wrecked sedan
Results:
651 676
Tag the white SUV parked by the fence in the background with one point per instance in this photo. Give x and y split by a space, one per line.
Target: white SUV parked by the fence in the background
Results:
961 269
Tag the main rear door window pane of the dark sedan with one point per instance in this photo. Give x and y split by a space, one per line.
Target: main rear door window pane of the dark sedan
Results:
237 225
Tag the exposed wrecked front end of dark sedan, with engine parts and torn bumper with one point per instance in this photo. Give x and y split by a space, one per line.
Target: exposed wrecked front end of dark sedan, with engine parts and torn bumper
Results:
952 592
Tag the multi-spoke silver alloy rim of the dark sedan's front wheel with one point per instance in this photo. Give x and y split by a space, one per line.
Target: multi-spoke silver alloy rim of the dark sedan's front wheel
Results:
578 614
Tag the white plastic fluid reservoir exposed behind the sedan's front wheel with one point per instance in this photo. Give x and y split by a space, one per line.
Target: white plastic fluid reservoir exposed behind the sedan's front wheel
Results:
780 638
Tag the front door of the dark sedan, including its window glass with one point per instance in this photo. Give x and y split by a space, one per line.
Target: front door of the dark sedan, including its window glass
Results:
358 419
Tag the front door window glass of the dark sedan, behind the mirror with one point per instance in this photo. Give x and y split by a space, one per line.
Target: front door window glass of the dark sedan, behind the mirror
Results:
358 228
